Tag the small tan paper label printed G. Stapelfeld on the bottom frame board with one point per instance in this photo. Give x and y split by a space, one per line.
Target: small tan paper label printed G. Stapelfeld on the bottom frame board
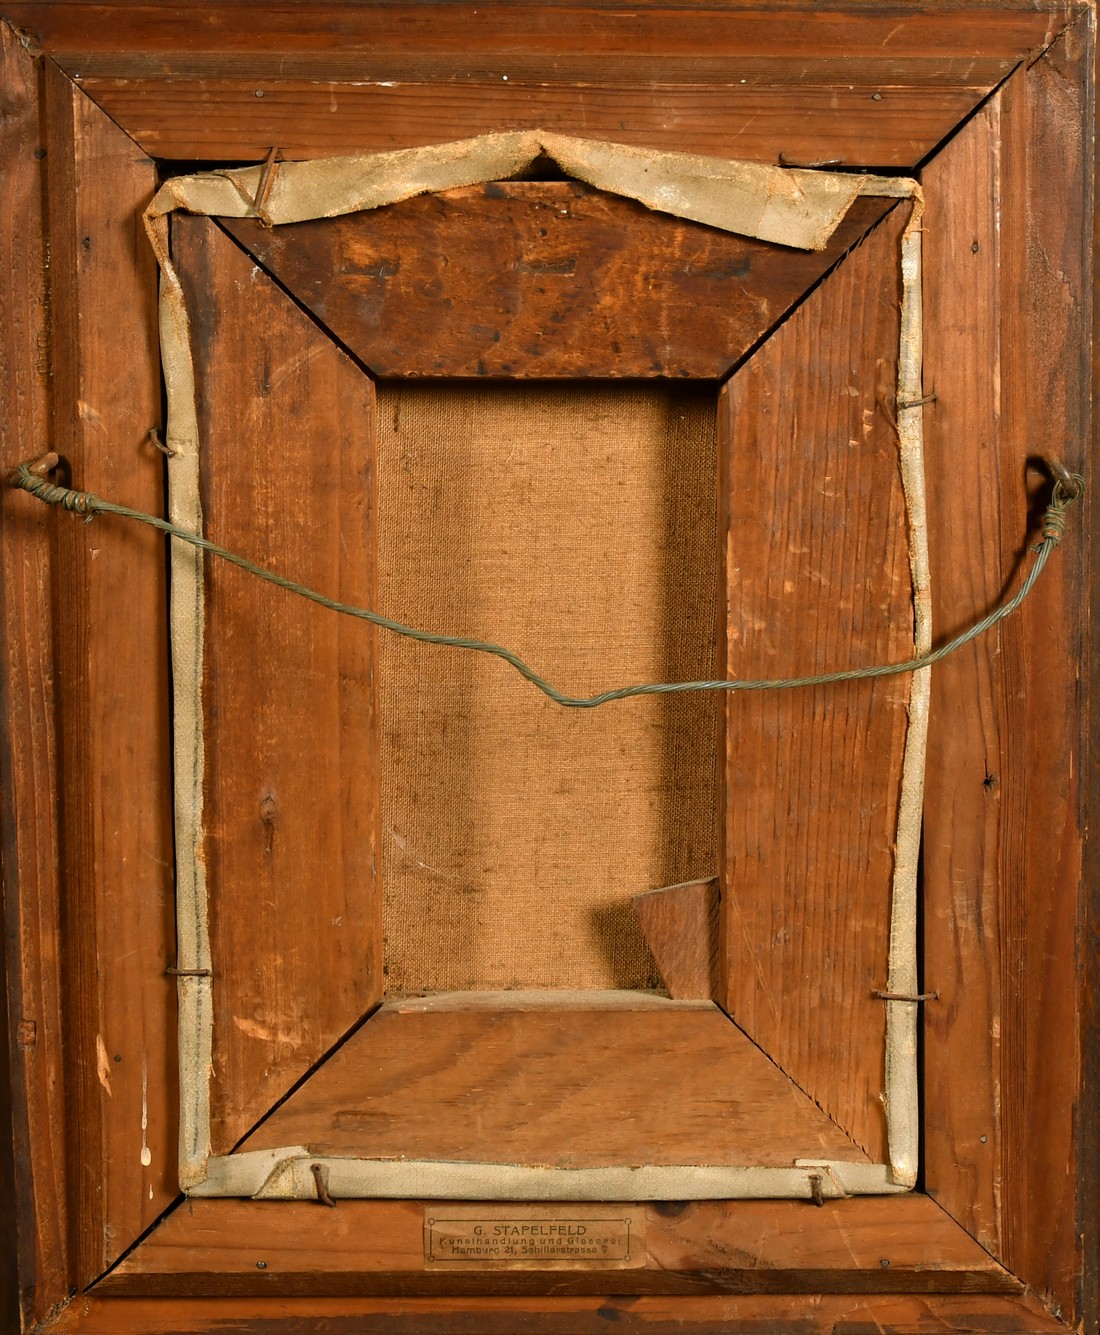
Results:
536 1237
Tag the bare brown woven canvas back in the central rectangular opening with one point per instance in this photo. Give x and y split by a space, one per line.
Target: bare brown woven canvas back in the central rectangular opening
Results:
576 525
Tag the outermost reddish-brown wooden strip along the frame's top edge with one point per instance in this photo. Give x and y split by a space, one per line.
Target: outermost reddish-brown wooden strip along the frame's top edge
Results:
799 34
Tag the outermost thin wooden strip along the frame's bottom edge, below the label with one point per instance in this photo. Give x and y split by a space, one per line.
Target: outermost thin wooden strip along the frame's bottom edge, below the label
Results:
908 1314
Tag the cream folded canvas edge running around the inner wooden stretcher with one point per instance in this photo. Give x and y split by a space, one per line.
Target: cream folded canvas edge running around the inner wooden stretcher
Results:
792 208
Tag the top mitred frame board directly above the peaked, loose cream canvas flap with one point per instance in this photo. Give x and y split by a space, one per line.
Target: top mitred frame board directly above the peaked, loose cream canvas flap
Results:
225 121
